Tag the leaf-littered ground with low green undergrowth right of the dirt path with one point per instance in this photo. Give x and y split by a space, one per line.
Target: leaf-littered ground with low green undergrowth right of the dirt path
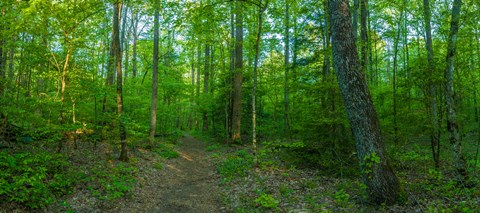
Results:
282 183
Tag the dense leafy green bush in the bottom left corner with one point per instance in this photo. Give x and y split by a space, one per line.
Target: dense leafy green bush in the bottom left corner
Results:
34 179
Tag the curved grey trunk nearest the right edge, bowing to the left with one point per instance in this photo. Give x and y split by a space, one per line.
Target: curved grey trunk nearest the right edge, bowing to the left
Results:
452 124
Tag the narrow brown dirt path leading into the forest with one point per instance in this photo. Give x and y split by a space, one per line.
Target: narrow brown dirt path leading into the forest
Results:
188 183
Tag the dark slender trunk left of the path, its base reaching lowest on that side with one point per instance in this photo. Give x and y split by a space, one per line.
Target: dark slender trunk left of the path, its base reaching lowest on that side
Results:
117 7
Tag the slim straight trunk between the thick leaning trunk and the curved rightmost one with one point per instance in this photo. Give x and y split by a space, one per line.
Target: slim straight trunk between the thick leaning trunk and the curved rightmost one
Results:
435 125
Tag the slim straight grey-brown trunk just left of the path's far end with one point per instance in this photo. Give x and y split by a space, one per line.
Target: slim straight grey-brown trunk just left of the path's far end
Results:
153 114
